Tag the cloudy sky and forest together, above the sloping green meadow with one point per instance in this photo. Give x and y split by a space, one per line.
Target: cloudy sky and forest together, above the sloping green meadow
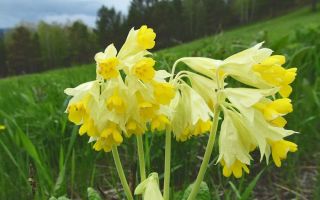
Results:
42 35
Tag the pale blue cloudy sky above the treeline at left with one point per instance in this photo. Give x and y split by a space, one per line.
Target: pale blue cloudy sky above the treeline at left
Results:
13 12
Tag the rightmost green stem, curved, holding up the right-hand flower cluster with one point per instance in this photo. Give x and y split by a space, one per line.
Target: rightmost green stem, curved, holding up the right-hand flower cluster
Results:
207 155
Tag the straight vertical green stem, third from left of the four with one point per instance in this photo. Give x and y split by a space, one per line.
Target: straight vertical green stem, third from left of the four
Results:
166 187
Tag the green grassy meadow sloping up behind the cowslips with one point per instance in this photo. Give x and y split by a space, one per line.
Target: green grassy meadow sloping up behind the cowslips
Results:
42 155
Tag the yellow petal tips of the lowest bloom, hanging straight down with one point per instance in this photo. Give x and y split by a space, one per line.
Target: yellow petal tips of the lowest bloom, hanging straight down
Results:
235 169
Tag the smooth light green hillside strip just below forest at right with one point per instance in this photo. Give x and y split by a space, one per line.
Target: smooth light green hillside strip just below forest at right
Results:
275 28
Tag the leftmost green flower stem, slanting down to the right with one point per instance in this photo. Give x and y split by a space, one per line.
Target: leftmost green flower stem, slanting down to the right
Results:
122 177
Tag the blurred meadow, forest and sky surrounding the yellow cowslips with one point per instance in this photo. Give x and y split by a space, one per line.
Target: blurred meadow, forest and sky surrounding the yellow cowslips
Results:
47 46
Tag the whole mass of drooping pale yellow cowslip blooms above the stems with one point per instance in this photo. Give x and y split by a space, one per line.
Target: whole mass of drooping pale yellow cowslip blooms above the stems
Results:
129 96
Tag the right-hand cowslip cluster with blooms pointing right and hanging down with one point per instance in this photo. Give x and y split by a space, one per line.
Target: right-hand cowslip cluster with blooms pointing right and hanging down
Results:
253 116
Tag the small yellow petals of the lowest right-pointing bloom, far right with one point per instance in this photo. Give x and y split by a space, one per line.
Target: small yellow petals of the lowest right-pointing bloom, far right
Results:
280 150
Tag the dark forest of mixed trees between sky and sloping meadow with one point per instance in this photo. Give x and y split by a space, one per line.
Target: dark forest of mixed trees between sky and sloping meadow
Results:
34 48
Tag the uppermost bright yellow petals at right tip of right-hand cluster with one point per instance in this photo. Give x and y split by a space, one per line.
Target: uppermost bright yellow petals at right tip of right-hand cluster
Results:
271 71
